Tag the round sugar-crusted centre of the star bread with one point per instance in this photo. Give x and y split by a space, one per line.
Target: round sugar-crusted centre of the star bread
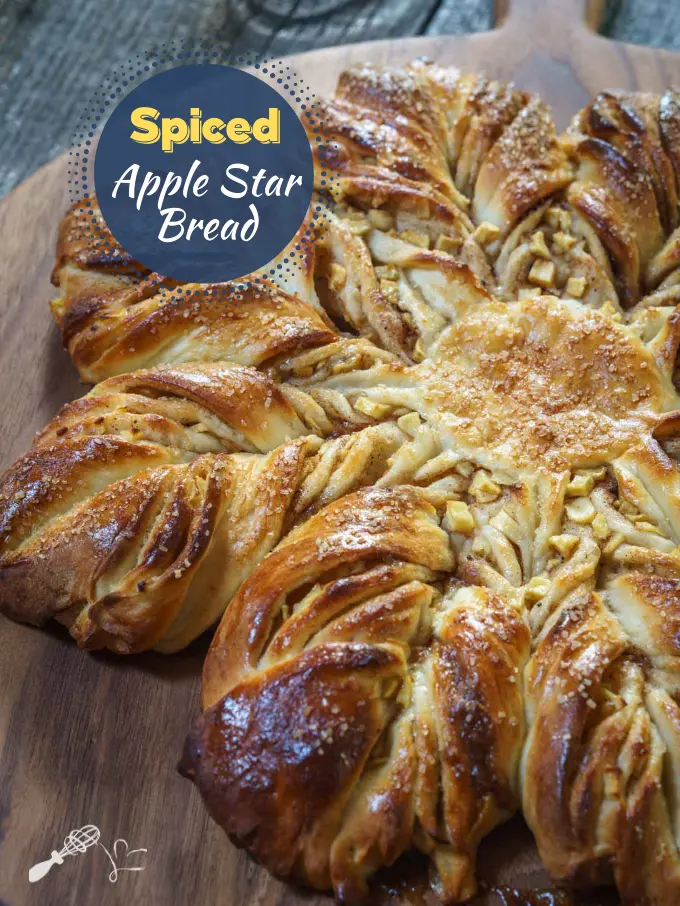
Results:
539 382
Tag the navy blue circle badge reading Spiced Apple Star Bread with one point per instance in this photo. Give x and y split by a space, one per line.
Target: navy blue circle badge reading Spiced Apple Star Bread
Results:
204 173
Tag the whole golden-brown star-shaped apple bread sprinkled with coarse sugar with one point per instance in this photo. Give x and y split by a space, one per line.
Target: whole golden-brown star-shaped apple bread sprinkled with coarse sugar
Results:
429 484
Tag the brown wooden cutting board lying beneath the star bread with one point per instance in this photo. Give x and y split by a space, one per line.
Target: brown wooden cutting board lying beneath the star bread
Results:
95 738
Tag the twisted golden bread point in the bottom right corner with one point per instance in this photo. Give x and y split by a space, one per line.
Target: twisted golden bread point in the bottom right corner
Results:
600 769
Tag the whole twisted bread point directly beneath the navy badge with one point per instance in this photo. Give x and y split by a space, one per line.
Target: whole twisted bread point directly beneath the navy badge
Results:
115 318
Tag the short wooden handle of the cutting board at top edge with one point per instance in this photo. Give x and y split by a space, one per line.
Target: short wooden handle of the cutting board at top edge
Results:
556 15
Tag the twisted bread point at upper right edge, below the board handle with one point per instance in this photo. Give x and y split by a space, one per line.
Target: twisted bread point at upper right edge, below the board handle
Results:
612 235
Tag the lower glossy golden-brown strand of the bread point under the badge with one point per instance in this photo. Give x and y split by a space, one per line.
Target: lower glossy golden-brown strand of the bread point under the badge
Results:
111 327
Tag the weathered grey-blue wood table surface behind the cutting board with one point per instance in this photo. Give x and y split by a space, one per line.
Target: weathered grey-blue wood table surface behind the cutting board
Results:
55 53
